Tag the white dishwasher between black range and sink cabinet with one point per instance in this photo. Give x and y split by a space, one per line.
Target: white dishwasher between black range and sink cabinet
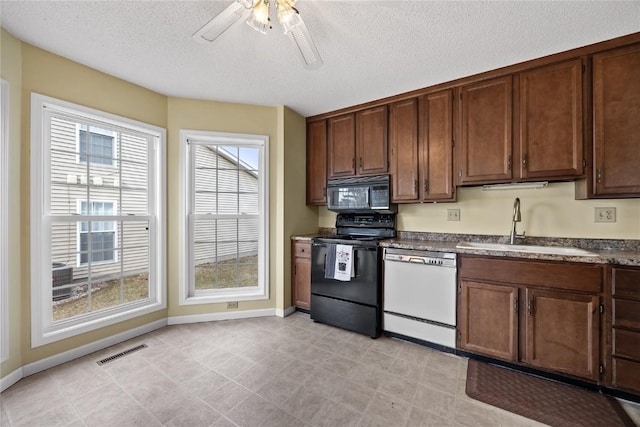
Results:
420 295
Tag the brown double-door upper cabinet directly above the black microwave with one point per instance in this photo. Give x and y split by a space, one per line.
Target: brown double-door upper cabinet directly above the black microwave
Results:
358 143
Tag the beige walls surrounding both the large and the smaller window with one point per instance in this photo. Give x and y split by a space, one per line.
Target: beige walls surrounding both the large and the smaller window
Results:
29 69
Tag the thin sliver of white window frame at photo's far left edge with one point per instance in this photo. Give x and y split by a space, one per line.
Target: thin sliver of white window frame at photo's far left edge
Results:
4 219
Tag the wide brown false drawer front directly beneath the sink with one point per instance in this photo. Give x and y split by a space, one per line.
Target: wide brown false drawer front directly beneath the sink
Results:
576 277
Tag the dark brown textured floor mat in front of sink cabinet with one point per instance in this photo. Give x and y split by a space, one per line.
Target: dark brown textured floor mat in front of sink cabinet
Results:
543 400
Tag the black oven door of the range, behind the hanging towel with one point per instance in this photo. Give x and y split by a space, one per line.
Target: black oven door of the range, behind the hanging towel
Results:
363 288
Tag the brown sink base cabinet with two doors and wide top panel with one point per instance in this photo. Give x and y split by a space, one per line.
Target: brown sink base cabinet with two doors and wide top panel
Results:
509 310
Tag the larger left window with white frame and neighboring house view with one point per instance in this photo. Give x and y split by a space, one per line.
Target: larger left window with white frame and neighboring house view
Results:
97 219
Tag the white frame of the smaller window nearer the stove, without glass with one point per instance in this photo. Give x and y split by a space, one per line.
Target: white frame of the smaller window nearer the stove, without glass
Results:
187 293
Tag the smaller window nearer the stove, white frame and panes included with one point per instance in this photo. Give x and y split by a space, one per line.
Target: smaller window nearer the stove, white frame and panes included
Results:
225 211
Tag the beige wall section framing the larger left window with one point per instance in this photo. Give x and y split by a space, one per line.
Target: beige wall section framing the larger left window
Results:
52 75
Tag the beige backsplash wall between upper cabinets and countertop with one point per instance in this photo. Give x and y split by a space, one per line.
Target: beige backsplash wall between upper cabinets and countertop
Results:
548 212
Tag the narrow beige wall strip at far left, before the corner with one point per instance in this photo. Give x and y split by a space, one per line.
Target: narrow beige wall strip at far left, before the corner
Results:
11 71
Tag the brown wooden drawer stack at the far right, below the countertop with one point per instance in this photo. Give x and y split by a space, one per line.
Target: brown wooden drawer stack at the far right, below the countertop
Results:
625 331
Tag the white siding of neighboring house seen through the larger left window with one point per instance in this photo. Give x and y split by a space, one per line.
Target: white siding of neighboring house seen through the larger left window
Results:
122 183
